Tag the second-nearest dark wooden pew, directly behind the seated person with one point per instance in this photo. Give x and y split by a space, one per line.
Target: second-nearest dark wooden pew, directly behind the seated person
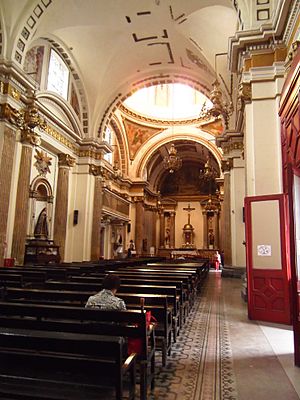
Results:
128 324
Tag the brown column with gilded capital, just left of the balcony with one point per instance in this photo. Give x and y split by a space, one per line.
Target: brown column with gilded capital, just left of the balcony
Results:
97 210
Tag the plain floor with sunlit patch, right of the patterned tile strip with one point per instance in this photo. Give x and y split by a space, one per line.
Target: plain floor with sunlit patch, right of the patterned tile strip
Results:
262 353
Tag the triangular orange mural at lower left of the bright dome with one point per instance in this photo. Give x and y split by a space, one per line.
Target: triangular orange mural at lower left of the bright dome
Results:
137 135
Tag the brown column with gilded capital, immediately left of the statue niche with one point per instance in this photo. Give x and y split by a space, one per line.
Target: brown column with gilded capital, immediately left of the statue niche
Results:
28 139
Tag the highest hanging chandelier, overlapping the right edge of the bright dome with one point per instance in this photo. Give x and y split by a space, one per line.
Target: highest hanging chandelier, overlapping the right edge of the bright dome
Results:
220 107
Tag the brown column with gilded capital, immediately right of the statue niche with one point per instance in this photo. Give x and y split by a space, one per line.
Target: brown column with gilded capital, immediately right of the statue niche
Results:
65 162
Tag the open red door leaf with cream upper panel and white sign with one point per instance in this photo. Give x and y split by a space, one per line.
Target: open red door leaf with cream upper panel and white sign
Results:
268 269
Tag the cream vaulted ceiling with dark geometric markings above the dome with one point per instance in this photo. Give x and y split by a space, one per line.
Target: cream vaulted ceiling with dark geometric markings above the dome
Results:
116 45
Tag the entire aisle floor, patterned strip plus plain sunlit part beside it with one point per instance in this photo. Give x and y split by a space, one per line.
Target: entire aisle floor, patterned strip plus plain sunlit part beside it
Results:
221 355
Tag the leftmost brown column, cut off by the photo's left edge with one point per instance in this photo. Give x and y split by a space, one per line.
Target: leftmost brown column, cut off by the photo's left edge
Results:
6 168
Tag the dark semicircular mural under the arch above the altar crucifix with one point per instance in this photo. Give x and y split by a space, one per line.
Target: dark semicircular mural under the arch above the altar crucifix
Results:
186 182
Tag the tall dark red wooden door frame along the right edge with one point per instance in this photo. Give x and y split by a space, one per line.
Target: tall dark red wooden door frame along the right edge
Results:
290 140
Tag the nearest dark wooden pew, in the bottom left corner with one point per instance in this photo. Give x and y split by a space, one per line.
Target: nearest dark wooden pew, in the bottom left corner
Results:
64 360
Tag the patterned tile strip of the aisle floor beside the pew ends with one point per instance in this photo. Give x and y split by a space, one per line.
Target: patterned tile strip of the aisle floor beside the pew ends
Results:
200 367
